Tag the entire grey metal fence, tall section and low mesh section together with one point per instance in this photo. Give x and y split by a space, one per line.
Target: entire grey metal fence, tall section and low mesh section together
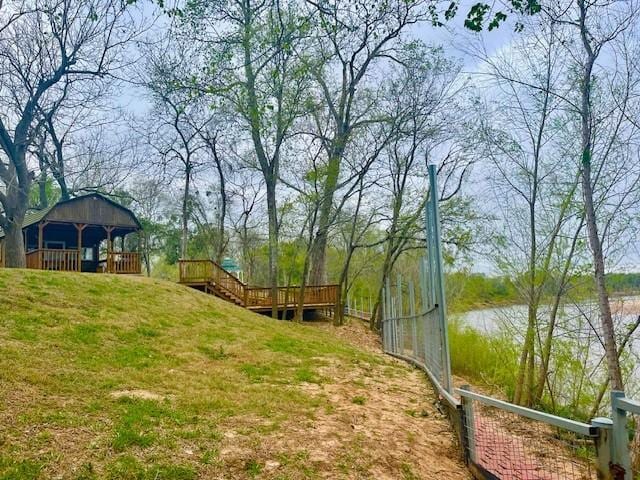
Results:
499 439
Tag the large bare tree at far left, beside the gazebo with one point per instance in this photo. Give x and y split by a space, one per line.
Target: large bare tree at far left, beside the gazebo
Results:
44 43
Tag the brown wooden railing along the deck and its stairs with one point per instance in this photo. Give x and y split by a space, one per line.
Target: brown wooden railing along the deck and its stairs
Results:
210 277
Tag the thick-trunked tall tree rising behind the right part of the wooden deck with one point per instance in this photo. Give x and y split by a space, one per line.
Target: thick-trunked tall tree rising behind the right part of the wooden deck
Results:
354 40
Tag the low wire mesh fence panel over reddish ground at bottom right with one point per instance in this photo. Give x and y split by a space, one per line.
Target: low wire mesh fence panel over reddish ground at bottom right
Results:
506 445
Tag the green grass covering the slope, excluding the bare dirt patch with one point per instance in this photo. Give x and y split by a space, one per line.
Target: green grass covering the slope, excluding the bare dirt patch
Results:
131 378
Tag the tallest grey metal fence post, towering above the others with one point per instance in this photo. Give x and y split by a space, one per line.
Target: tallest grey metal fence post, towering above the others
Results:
439 275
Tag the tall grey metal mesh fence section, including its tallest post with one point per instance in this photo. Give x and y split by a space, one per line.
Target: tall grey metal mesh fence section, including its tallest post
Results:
422 336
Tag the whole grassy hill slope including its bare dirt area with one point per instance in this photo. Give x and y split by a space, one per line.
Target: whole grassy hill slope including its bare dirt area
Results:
132 378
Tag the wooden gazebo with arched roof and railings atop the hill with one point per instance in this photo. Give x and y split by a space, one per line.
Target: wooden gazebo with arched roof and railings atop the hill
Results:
83 234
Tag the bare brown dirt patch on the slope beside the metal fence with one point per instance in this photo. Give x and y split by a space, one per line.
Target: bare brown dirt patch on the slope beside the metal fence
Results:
386 410
